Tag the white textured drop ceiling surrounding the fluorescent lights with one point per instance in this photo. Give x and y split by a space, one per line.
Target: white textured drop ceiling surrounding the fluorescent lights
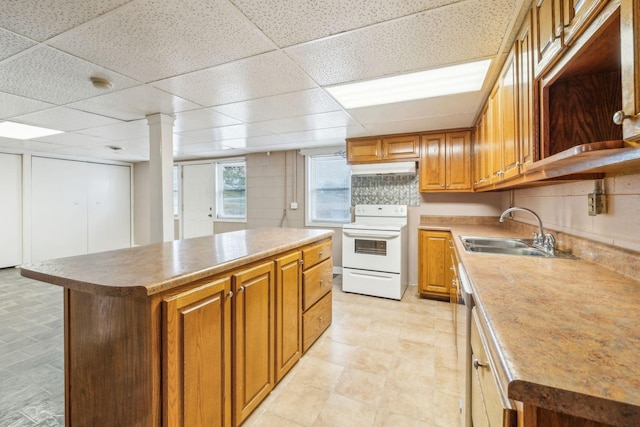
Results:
239 76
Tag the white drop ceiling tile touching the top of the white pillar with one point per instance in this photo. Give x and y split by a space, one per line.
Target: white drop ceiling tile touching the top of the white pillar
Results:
135 103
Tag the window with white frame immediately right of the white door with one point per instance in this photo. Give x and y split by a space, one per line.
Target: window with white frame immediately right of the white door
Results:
231 192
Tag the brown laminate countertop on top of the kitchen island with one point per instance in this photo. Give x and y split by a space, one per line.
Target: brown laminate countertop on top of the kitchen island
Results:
147 270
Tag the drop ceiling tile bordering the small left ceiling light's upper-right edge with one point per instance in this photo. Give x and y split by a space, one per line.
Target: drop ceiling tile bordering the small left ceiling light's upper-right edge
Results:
65 119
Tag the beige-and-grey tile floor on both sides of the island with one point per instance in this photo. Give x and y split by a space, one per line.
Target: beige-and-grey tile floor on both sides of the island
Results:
381 363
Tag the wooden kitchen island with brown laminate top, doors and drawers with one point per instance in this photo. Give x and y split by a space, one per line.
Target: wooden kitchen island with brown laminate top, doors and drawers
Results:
192 332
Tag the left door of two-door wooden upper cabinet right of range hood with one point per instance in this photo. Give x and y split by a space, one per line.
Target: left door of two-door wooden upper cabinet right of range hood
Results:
432 163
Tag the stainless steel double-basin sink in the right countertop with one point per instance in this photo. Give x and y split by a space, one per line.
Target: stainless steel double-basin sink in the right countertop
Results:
507 246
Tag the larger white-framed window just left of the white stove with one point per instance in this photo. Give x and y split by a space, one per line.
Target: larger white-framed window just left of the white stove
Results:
328 190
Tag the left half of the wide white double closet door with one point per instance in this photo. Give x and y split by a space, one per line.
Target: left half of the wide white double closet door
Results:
59 208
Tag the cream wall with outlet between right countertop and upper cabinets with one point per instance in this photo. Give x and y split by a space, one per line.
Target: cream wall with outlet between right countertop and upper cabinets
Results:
563 207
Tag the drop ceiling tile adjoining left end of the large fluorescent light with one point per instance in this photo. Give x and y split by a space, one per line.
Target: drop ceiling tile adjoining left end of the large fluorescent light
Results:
310 101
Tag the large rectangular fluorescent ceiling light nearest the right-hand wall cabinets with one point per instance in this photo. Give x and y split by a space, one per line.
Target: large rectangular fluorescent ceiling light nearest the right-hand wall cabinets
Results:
460 78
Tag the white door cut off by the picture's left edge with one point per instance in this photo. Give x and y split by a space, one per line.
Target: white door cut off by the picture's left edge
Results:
10 210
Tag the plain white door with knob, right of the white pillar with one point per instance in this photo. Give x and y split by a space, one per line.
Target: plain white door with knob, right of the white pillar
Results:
197 200
